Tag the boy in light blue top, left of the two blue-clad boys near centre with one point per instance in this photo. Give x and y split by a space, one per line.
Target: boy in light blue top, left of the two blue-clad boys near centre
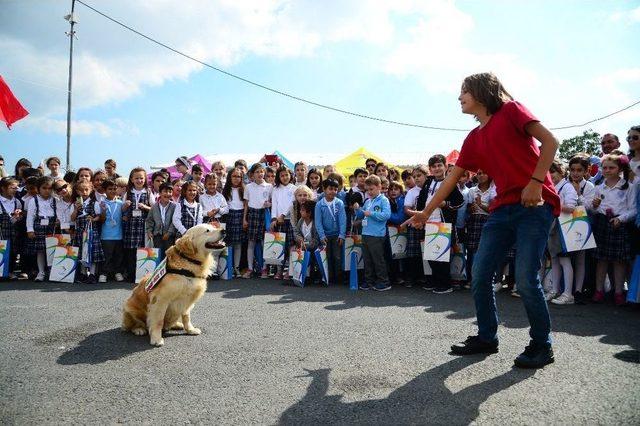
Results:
331 225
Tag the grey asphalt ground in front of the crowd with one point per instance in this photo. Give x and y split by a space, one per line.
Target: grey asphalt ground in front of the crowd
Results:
274 354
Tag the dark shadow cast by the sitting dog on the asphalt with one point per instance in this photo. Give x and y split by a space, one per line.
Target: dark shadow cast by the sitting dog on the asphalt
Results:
103 346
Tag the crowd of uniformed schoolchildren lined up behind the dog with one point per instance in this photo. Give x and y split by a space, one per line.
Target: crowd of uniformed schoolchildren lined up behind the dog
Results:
314 208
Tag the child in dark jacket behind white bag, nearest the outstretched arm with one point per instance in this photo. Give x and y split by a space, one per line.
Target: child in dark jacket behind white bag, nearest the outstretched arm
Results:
440 282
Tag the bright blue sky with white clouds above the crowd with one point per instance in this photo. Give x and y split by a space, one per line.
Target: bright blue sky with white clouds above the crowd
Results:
568 61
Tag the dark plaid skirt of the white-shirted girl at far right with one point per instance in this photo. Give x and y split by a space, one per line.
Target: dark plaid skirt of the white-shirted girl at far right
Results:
612 243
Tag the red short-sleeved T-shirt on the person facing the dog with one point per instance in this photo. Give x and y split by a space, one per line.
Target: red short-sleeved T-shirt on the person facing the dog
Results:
504 151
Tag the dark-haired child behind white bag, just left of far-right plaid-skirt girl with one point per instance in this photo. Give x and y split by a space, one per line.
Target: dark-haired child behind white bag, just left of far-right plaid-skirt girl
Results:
578 175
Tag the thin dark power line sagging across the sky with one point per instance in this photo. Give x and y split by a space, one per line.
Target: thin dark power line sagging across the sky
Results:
314 103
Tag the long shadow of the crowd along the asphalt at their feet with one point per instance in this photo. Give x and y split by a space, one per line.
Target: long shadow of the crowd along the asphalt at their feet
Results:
614 324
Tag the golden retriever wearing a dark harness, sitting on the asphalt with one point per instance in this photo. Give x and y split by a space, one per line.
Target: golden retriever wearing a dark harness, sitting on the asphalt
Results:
168 305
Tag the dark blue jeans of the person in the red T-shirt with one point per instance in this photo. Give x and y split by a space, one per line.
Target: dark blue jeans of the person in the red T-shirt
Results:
529 229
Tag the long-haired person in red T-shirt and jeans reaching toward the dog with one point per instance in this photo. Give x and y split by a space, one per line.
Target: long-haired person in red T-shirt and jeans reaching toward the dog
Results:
503 146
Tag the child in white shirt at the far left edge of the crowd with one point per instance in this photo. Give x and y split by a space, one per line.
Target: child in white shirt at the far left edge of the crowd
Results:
11 213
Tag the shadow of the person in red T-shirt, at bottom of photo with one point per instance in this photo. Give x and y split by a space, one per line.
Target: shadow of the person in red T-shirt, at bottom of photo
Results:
434 402
